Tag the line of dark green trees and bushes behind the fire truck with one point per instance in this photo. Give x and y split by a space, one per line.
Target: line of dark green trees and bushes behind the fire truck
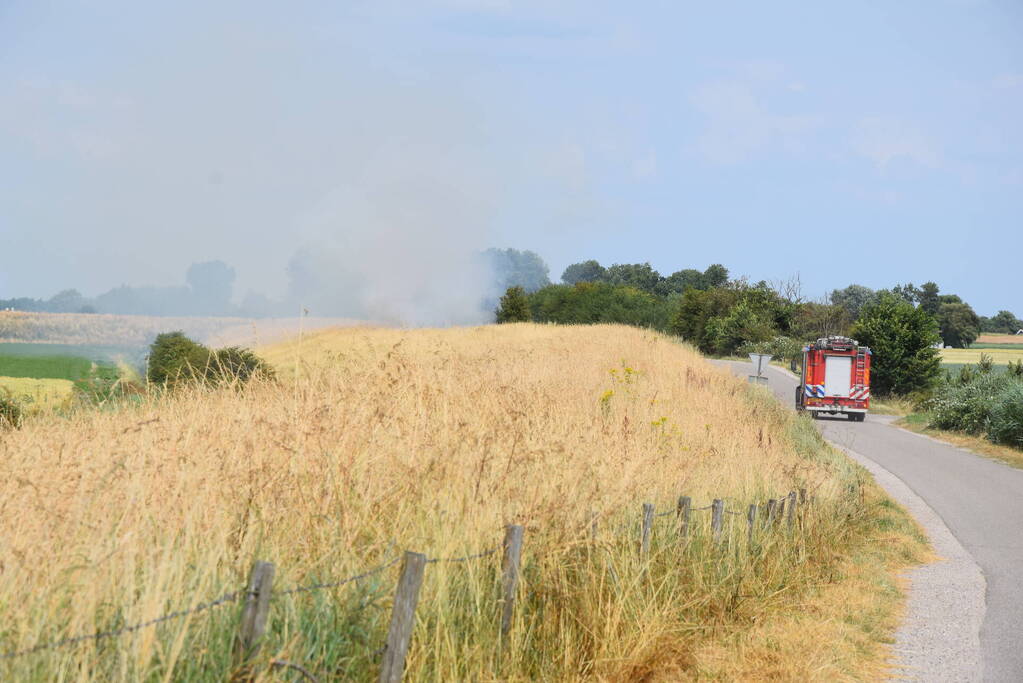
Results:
725 316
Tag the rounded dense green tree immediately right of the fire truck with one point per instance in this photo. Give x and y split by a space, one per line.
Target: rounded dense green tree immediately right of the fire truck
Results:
903 339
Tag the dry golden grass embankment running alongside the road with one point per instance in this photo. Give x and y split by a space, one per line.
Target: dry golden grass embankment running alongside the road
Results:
386 440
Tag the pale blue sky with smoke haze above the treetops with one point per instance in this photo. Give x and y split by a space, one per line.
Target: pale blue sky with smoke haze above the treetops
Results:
872 143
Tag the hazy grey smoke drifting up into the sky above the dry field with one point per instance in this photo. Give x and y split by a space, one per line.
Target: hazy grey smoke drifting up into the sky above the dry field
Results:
275 142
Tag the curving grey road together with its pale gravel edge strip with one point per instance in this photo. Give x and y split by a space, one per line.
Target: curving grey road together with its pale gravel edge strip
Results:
982 504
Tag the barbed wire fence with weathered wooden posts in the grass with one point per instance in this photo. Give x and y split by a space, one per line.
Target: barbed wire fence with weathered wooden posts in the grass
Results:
259 594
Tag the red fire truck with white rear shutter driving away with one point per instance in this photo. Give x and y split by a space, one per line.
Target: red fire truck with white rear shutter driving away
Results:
836 379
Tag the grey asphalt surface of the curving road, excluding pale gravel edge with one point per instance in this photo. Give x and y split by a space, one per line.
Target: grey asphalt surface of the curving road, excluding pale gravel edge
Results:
980 500
